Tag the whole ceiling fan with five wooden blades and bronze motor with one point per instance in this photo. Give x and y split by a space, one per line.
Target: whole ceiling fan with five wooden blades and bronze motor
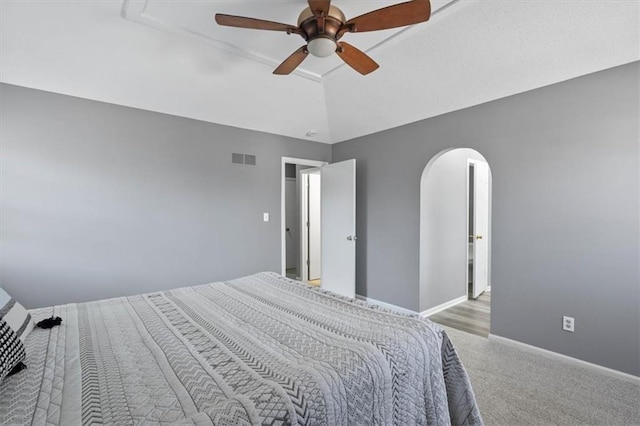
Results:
322 26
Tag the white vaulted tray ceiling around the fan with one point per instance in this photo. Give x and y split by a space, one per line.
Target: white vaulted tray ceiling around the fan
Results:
171 57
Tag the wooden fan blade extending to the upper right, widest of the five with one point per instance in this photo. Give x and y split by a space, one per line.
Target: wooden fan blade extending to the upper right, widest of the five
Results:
398 15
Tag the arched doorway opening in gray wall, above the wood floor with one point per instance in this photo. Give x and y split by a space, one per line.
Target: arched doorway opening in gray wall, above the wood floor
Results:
455 230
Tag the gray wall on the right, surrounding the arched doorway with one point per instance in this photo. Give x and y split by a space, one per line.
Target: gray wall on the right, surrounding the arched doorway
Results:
565 226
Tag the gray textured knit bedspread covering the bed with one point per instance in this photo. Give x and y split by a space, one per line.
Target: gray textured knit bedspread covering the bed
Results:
257 350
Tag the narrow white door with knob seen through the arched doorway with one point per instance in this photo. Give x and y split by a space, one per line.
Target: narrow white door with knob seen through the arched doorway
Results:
481 227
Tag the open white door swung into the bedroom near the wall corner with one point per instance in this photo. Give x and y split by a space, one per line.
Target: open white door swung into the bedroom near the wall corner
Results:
339 227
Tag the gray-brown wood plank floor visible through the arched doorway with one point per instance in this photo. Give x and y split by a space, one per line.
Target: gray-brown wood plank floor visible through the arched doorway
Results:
472 316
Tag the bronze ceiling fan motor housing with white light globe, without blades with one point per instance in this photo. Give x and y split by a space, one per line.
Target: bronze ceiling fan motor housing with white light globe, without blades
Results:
321 41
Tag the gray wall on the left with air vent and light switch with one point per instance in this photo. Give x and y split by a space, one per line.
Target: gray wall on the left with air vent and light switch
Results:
100 200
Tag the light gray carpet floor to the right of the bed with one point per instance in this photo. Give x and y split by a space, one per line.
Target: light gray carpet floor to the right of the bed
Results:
516 387
